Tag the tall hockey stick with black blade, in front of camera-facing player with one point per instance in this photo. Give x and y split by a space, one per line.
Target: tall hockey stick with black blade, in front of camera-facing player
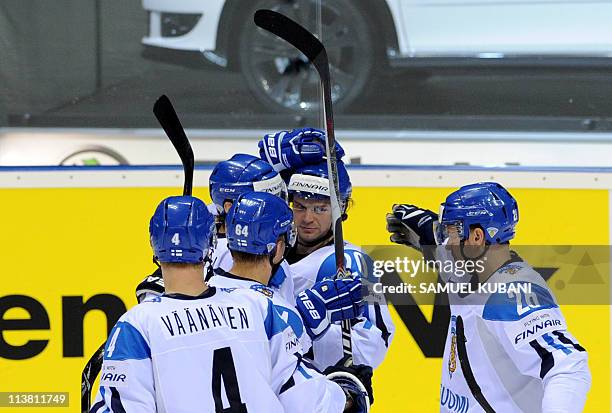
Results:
313 49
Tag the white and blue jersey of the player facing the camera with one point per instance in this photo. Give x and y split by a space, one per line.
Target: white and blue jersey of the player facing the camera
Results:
371 335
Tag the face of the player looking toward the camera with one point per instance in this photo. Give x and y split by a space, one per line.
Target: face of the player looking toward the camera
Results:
312 218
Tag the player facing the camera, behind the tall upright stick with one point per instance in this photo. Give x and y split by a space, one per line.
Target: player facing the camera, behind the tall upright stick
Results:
312 259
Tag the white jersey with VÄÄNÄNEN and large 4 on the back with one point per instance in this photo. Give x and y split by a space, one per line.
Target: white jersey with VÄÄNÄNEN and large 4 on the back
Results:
225 349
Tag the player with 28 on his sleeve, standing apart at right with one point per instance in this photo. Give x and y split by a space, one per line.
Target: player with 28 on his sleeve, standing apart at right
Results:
505 351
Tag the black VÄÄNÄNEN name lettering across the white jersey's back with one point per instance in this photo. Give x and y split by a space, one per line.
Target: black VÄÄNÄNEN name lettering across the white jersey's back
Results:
193 320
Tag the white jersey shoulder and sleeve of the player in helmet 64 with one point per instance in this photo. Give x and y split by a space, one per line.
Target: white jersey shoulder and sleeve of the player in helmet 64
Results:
286 309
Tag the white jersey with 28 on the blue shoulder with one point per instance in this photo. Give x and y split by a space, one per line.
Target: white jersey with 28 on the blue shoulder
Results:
519 350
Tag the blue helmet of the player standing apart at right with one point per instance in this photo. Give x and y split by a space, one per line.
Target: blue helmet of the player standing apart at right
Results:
486 204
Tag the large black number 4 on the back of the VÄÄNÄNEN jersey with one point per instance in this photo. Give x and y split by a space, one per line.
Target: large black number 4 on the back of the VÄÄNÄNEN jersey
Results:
224 369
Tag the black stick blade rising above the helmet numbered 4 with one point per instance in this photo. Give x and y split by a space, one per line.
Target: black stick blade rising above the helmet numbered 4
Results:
169 121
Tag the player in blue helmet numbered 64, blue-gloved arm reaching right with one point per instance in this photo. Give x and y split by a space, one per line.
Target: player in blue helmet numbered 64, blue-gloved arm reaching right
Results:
251 230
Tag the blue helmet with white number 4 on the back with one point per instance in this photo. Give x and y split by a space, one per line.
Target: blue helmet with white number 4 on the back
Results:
181 230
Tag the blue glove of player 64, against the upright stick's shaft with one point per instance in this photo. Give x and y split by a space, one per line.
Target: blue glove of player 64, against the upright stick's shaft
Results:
327 302
